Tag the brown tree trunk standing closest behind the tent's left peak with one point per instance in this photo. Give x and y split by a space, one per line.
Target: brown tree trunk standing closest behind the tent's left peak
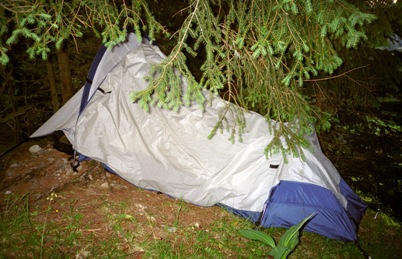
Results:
65 74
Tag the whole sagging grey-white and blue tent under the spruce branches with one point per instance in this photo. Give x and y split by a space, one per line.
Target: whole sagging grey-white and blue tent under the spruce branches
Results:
169 151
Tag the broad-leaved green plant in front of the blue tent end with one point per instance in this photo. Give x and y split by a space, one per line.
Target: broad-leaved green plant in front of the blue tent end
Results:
286 244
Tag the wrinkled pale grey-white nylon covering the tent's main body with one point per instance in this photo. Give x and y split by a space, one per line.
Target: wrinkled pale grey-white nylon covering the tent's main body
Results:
170 152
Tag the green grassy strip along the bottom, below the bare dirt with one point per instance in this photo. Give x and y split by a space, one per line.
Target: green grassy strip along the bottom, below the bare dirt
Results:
60 228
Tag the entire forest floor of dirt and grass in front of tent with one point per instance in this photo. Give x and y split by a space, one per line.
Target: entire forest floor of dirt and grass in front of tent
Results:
102 202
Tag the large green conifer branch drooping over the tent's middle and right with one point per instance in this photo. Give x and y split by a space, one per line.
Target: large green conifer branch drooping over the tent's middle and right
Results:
258 55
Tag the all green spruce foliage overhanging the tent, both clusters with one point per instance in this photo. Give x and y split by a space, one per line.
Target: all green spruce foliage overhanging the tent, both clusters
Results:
258 54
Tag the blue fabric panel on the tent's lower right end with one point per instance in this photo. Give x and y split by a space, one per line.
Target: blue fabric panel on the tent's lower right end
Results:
290 202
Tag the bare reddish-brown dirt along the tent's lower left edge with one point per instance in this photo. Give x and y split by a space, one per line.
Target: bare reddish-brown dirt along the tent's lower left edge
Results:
48 171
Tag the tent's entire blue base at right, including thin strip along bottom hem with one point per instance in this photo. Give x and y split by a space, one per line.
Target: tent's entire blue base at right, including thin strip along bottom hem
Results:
291 202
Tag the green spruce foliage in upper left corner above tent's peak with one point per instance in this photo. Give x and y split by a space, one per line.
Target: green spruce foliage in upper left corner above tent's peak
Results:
48 23
